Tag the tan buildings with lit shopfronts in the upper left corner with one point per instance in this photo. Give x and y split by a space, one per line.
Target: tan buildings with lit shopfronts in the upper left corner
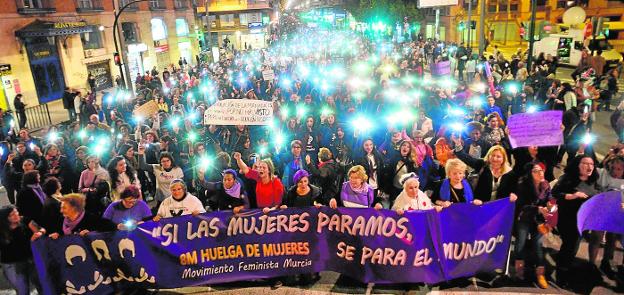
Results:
52 44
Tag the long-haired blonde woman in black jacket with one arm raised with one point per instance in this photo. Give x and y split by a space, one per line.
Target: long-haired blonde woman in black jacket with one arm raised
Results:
493 174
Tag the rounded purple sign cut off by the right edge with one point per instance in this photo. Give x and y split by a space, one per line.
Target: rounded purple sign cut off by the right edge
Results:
604 212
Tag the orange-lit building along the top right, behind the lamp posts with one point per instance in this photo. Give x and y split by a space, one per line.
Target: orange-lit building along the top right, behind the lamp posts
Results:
504 18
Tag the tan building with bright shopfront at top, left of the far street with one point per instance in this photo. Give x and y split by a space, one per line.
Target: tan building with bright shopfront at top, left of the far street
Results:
239 23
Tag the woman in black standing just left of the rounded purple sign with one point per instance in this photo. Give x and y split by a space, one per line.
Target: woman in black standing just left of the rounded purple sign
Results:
578 183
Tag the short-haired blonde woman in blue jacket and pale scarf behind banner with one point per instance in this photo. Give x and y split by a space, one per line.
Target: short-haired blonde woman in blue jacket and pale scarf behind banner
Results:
455 188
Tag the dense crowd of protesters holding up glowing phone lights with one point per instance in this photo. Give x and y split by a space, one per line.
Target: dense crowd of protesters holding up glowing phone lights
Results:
357 123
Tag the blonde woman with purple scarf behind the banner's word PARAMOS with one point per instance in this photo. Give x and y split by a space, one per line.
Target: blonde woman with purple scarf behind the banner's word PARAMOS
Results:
356 193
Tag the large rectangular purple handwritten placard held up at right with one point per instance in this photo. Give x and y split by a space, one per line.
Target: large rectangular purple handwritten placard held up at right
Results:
535 129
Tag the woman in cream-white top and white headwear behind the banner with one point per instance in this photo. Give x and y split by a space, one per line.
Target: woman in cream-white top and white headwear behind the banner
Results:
412 198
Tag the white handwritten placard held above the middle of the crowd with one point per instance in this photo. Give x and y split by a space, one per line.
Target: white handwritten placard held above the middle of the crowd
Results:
239 112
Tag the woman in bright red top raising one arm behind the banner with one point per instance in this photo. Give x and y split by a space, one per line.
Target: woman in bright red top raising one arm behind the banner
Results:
269 189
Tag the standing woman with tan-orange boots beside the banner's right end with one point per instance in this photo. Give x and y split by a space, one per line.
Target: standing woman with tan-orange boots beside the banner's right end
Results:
535 203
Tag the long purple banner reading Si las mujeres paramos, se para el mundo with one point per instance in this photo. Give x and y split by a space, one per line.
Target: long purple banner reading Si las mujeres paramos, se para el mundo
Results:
369 245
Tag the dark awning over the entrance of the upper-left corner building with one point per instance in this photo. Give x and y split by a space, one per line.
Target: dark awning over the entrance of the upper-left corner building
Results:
40 28
